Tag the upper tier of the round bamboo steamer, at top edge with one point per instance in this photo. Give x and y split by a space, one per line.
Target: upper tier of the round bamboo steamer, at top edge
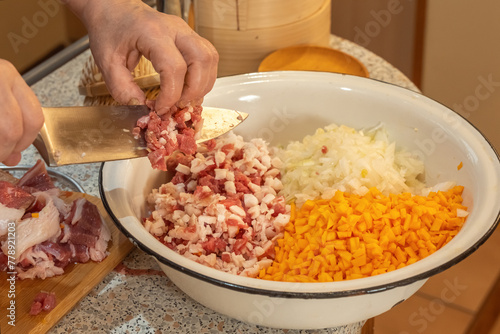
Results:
252 14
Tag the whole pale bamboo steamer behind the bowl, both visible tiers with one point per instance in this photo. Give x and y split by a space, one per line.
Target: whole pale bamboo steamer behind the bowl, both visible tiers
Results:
241 51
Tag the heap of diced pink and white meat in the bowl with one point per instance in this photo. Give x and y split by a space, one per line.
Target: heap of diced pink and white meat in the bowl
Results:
220 208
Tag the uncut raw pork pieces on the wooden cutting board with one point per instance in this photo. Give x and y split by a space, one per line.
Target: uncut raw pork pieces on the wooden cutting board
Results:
41 232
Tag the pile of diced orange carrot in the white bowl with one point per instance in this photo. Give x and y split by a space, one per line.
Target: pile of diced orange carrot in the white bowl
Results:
351 236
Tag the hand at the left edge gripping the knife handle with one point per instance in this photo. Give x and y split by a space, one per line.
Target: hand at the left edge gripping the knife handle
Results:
20 113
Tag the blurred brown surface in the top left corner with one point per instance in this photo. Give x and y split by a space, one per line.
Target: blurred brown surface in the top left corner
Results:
30 30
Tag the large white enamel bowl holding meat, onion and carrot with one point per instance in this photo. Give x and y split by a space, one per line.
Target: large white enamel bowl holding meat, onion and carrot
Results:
286 106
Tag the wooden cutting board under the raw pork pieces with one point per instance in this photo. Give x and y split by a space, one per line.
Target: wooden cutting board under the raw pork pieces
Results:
77 281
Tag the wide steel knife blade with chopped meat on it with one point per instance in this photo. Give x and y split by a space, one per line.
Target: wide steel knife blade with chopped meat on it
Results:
76 135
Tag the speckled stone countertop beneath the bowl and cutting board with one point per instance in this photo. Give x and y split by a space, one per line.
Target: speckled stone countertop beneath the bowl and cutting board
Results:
136 297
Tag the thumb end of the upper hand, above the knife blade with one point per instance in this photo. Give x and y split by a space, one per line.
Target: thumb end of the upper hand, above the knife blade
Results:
121 85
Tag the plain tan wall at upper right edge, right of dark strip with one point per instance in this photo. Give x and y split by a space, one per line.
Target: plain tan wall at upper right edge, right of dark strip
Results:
462 60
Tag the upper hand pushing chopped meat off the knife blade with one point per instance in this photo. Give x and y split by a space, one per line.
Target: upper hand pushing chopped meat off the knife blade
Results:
120 31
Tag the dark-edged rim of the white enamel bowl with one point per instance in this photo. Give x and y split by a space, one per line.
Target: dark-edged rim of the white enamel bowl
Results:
305 294
